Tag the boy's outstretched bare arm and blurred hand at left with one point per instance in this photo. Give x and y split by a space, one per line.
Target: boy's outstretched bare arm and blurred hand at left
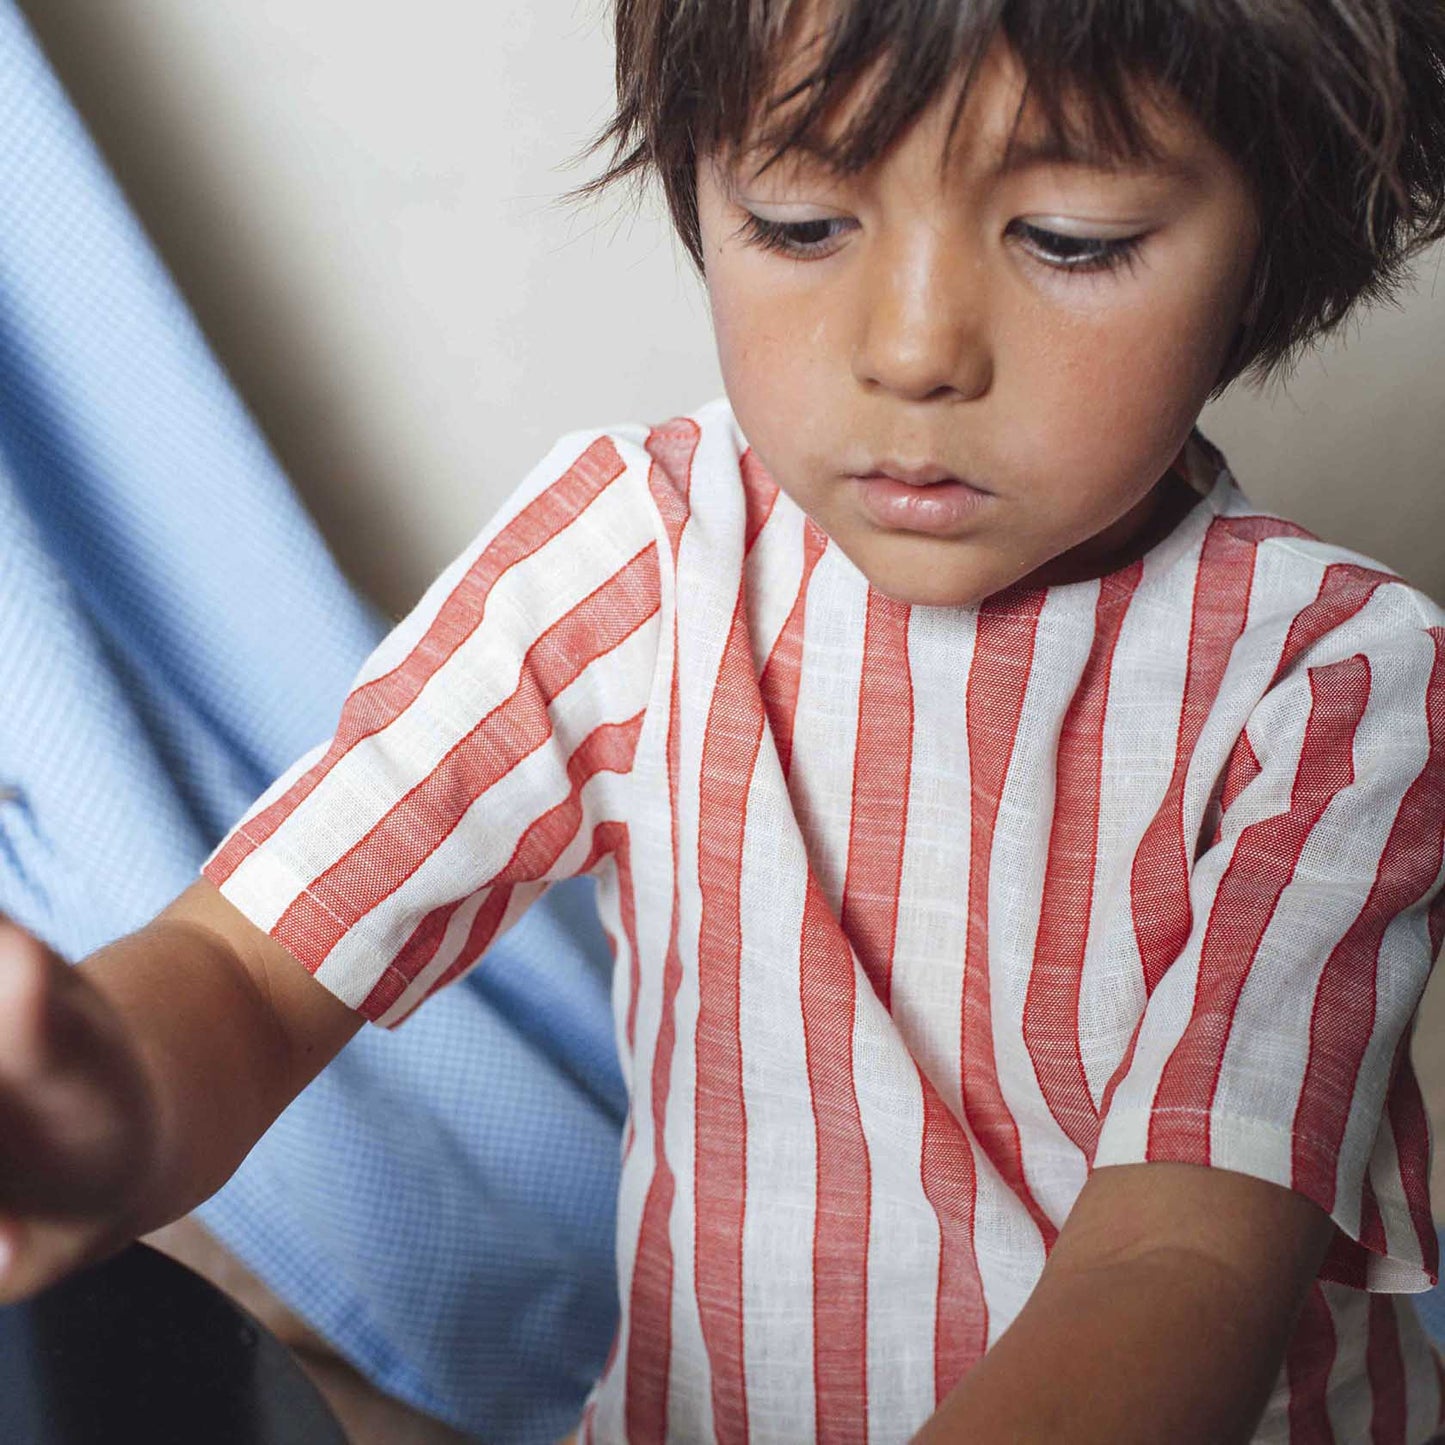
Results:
135 1084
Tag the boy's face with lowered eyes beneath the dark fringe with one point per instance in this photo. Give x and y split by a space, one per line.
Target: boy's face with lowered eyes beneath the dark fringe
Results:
969 376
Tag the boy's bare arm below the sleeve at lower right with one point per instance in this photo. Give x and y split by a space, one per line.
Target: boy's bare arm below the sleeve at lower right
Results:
1164 1314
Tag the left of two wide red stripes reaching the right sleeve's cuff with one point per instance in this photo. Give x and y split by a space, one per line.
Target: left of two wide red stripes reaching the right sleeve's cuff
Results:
1262 866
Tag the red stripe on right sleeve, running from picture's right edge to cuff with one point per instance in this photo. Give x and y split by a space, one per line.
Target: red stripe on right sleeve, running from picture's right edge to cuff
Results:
1345 1009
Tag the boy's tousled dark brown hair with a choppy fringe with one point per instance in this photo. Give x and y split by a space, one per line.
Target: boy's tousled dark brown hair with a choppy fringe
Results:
1334 111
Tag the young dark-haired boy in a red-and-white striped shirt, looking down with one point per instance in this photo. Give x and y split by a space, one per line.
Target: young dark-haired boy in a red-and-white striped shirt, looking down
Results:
1022 855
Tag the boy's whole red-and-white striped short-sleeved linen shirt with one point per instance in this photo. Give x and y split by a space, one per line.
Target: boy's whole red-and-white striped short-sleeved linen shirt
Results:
920 914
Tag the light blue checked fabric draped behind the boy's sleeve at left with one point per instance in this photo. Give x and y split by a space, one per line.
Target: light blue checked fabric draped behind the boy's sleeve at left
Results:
173 635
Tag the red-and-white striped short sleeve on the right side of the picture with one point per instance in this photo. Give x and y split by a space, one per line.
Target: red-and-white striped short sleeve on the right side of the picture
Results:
1278 1043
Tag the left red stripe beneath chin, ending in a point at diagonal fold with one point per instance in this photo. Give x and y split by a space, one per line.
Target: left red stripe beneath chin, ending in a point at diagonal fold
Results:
882 765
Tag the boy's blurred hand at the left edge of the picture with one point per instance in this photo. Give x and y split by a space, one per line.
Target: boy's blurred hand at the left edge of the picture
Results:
79 1123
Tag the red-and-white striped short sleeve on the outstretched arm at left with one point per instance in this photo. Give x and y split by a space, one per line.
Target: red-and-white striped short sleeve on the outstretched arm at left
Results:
480 749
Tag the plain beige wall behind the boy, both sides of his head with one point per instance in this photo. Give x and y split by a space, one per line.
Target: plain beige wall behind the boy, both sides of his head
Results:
362 203
